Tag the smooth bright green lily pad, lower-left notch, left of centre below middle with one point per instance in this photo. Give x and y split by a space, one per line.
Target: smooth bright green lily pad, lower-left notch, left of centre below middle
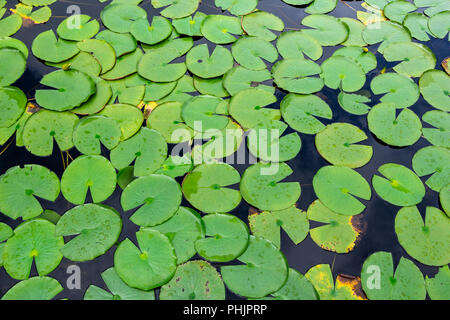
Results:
157 198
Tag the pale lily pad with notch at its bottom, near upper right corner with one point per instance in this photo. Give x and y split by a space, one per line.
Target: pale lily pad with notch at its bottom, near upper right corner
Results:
386 32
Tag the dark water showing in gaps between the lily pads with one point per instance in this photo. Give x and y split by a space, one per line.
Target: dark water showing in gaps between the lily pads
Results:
379 215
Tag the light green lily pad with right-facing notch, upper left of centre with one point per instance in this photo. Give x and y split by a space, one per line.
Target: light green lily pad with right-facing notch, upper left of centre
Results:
155 65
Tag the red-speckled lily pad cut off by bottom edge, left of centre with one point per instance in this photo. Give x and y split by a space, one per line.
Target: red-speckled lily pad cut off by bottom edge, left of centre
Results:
194 280
